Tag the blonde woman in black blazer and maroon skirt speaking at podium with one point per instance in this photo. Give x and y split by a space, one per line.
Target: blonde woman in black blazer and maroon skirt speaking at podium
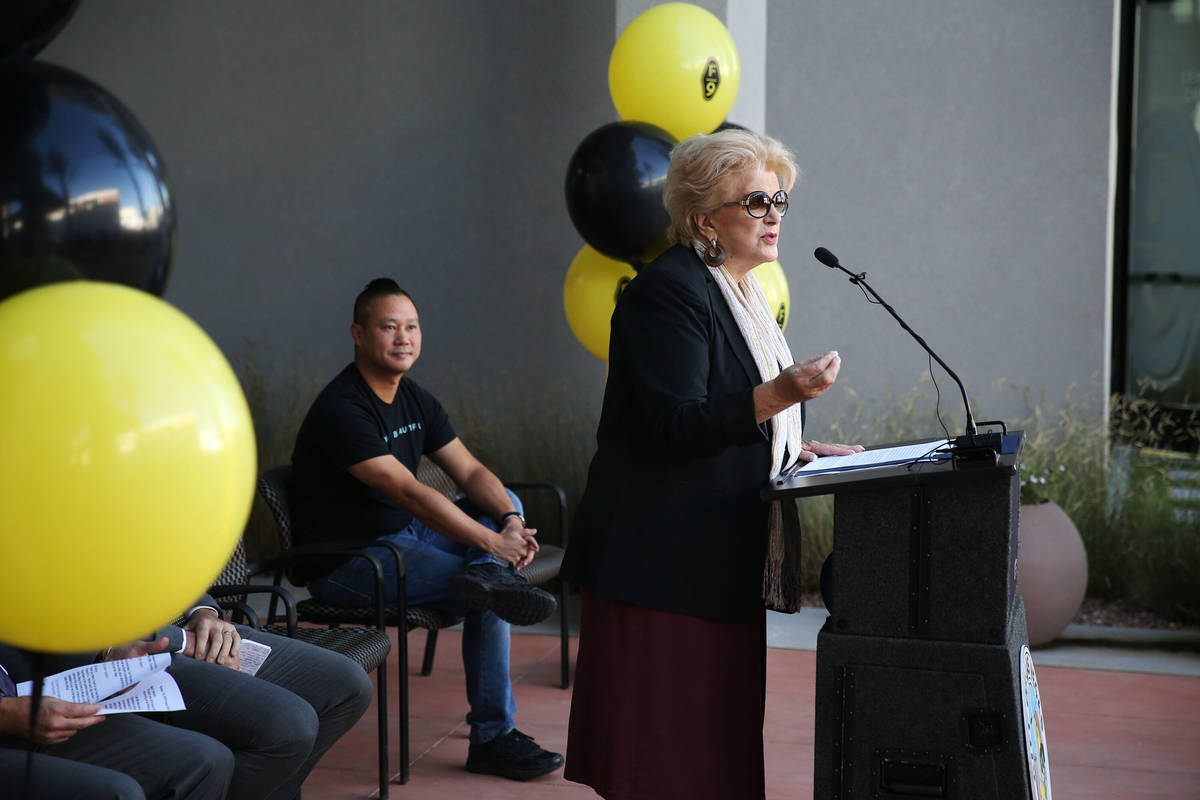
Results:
674 550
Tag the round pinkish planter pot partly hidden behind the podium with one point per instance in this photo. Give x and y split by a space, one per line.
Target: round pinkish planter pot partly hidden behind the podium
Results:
1052 570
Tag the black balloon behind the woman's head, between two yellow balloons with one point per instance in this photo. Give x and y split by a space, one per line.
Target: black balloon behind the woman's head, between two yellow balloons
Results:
615 190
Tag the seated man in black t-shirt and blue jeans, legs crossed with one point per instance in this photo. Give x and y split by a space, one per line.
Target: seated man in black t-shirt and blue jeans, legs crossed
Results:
355 477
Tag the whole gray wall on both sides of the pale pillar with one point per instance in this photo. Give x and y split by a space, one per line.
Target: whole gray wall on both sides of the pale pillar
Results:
957 152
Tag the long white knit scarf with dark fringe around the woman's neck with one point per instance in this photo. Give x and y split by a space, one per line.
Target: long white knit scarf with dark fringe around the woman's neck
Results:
766 342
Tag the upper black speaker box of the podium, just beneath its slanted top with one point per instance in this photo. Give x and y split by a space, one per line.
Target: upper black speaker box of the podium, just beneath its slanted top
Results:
937 561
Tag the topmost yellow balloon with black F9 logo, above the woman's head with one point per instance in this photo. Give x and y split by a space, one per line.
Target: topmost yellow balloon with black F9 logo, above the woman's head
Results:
675 67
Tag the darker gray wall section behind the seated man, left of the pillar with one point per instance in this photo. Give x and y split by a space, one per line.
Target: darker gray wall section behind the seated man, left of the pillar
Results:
314 146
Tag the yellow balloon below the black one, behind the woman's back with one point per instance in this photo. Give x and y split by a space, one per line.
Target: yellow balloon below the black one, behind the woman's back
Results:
590 297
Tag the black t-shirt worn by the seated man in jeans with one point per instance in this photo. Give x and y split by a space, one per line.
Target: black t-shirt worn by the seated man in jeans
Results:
349 424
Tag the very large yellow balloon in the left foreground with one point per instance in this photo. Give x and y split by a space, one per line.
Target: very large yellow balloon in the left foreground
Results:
127 466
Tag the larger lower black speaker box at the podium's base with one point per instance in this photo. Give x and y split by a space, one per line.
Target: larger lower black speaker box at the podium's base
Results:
902 718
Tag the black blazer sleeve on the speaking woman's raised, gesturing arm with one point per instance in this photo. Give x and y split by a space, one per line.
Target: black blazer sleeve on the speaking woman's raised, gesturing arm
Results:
664 333
